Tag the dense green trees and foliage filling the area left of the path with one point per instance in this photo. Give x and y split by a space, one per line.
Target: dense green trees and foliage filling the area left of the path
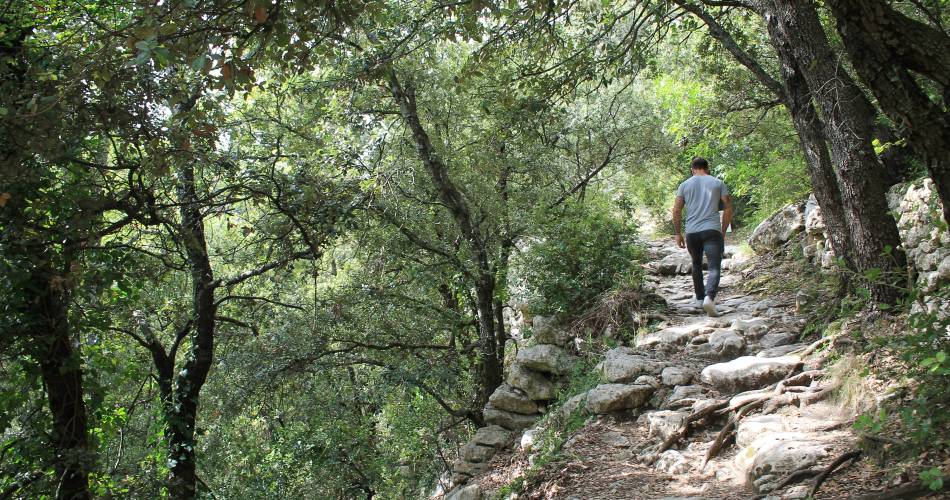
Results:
260 249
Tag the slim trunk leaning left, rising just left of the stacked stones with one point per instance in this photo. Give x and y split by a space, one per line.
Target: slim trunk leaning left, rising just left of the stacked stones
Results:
490 365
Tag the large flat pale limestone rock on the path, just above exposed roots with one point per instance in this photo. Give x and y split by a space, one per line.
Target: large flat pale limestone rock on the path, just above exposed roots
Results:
748 372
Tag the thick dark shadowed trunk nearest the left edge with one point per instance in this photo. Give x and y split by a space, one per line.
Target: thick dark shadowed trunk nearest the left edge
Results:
61 369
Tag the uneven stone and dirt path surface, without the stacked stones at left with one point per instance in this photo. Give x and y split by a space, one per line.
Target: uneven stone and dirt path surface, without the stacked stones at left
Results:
615 455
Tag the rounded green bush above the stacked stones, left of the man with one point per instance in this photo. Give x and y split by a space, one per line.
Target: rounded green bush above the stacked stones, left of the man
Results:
579 255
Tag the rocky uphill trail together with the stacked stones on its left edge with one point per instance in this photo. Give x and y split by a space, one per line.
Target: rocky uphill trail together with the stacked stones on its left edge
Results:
735 406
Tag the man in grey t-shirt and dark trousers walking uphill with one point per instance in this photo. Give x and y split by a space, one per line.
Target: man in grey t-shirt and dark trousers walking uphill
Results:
702 195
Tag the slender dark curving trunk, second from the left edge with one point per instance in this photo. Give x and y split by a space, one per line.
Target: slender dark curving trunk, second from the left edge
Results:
183 478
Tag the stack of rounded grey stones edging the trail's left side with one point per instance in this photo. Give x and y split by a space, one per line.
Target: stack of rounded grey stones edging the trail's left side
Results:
520 401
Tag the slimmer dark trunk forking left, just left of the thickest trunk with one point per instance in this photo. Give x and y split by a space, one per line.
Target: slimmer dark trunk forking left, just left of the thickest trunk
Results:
795 95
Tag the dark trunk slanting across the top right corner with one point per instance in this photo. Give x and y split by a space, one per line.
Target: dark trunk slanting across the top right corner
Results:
885 46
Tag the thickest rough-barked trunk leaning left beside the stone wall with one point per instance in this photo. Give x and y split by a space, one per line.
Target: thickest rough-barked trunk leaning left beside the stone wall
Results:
849 119
